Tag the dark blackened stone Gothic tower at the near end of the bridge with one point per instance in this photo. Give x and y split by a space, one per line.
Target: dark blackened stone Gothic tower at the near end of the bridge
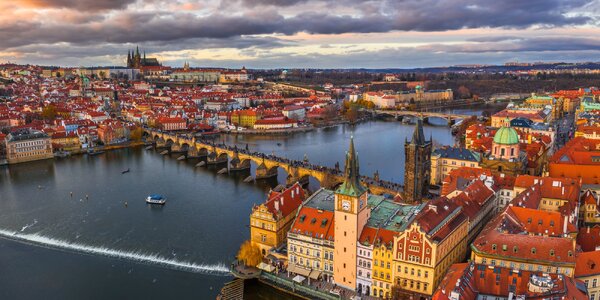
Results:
417 165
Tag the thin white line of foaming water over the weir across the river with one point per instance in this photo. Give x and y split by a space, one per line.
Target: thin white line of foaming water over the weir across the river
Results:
136 256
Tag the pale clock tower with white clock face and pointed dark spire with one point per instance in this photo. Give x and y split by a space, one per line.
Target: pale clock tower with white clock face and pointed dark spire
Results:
351 215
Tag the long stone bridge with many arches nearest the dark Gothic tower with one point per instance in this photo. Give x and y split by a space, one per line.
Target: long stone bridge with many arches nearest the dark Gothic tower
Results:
267 165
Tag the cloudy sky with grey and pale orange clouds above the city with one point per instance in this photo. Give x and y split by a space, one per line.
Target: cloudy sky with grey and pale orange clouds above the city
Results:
300 33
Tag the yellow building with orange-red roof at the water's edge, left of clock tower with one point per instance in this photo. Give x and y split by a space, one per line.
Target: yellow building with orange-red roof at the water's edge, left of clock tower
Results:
271 221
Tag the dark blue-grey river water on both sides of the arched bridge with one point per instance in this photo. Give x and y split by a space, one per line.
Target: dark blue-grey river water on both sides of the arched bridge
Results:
102 241
